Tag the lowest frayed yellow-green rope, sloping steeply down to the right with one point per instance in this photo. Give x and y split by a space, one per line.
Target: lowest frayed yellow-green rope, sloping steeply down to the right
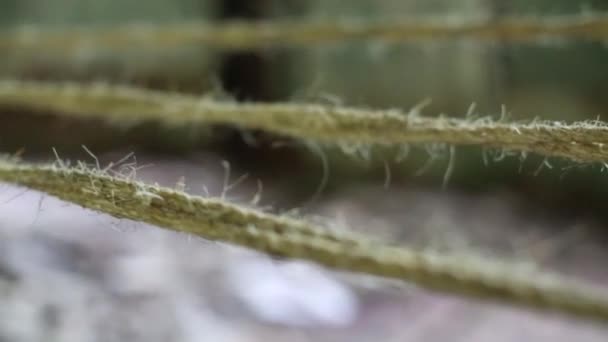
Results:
221 221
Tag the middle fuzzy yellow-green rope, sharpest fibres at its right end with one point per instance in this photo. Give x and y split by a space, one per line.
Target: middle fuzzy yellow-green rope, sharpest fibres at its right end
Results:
581 141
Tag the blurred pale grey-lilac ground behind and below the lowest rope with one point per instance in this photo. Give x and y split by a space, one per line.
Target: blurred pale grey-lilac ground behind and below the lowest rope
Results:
68 274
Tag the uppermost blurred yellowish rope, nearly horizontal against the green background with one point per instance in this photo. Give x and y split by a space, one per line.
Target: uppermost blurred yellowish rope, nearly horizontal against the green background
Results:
246 35
